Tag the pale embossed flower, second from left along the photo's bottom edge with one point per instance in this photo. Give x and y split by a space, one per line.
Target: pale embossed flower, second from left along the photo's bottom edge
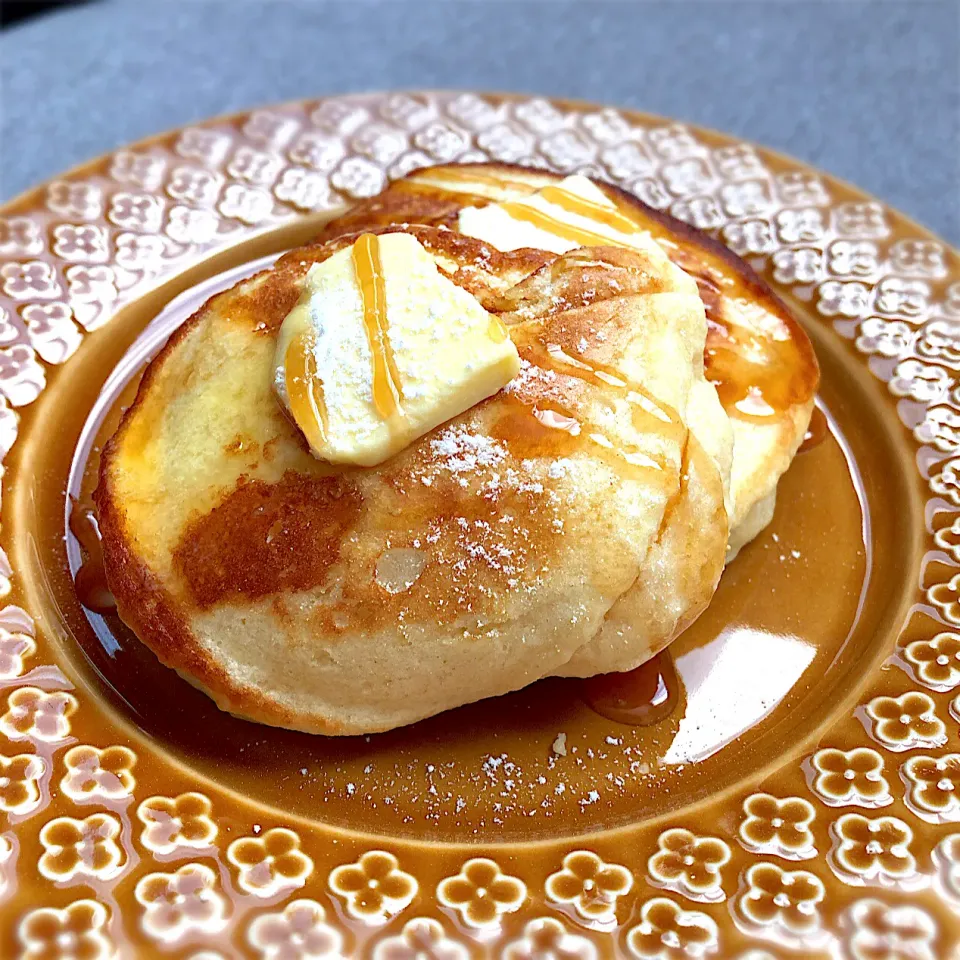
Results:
181 902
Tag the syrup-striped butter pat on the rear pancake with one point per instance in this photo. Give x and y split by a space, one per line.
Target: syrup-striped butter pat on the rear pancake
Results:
561 217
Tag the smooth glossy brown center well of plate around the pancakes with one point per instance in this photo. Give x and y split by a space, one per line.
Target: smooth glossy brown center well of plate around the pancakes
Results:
799 618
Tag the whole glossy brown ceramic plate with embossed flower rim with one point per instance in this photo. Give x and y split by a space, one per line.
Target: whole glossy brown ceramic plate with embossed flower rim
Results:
802 796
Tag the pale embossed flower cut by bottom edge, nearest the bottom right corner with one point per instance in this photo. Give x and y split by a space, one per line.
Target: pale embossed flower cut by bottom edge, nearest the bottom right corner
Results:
877 929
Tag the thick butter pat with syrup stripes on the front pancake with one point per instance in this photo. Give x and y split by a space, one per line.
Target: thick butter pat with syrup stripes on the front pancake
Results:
381 348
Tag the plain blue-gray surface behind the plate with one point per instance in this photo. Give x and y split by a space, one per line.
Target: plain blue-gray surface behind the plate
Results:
866 89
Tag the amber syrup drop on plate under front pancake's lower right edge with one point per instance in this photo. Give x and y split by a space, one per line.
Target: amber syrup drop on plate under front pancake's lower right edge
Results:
641 697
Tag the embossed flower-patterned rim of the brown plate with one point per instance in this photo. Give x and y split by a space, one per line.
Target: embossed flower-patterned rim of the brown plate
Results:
851 848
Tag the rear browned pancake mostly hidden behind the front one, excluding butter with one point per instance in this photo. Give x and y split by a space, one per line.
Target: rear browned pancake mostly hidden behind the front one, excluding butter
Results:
757 355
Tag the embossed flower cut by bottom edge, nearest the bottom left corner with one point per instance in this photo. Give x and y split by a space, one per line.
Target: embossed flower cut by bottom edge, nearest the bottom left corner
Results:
78 932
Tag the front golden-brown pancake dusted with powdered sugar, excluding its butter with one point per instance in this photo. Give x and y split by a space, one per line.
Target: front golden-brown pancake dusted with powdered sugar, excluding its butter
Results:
493 551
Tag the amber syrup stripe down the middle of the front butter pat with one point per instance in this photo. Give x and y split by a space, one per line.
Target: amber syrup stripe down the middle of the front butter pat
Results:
387 395
